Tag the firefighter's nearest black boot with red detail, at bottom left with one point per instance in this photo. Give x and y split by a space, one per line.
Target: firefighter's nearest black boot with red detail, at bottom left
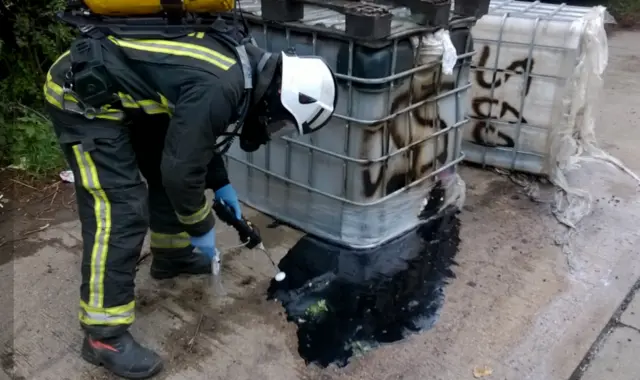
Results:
123 356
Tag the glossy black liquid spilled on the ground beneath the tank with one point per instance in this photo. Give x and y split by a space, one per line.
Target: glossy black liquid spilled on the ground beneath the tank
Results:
346 302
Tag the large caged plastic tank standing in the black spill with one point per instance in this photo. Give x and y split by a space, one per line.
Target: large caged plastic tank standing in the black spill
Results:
362 179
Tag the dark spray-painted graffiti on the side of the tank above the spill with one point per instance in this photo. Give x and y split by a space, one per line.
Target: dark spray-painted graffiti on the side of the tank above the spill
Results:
411 130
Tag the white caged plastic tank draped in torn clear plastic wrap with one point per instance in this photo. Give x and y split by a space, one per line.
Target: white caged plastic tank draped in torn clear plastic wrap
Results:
537 75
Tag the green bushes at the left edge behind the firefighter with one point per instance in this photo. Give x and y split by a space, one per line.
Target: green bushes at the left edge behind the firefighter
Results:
31 40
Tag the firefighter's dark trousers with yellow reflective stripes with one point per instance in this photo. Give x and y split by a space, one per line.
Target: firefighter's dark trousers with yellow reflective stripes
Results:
116 209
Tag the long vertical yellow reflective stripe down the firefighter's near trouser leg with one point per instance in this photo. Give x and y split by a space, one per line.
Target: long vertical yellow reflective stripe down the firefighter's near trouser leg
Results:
102 209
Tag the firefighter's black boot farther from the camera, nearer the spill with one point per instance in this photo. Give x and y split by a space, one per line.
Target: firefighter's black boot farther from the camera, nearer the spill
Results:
169 266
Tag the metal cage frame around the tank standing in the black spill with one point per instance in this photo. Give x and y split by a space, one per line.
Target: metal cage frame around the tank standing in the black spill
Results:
344 205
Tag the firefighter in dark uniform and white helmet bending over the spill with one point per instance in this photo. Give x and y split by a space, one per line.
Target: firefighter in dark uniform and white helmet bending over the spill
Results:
163 109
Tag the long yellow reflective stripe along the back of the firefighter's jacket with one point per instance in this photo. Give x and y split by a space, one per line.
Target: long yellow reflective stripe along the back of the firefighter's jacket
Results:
178 49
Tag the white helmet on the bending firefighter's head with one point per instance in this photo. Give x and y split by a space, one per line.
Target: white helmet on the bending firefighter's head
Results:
308 92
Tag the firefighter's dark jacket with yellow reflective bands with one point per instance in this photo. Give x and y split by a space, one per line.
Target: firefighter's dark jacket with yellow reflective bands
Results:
195 80
